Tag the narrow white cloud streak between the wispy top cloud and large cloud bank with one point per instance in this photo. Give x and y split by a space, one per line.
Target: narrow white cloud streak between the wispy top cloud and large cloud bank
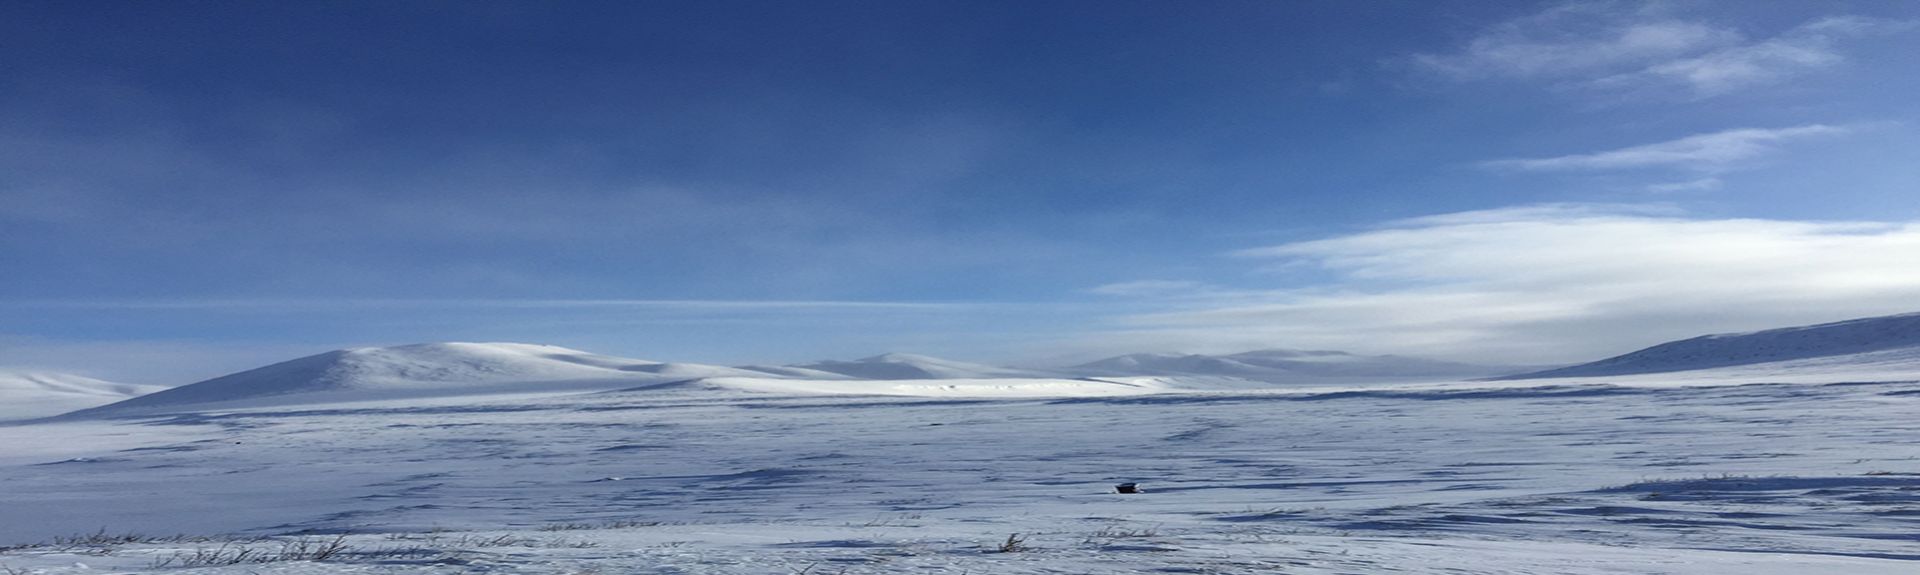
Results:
1704 153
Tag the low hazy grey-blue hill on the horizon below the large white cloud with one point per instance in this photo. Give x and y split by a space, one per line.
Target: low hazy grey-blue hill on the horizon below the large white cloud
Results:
1289 366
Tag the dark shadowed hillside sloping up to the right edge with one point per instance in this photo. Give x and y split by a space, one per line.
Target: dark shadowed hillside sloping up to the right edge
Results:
1871 339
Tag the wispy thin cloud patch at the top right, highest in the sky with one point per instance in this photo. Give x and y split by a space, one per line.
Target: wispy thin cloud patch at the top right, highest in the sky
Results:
1633 49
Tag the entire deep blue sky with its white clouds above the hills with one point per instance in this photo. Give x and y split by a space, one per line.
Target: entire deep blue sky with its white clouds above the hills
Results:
197 187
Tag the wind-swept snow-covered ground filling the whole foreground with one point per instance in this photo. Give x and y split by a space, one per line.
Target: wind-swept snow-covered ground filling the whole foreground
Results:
1808 466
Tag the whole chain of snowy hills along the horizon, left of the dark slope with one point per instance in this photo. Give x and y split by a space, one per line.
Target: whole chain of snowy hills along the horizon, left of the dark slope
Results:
448 370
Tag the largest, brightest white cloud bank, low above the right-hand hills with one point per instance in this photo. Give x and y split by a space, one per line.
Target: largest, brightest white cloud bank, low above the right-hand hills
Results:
1556 284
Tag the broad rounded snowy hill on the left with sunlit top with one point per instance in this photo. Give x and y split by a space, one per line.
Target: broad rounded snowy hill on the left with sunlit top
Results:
414 372
